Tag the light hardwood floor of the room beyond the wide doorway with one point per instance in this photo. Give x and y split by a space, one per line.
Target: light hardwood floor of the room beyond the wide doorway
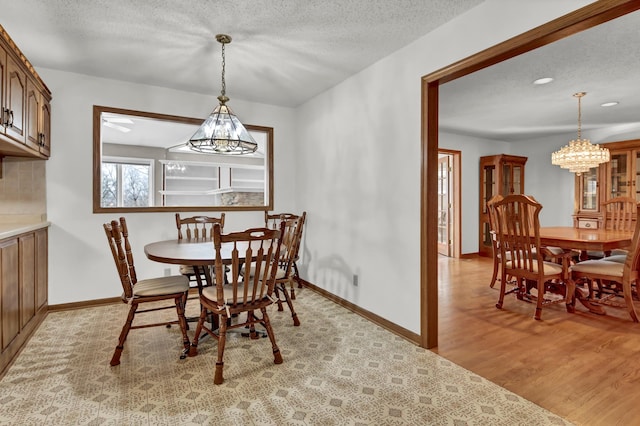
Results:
580 366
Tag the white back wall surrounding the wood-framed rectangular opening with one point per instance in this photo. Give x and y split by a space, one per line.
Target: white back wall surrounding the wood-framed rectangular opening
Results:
80 263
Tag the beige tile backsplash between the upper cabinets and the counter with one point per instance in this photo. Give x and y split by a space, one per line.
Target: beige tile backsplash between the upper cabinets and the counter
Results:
23 189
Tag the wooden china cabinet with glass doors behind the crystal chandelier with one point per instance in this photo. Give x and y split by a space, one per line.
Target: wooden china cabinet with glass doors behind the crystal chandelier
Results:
620 177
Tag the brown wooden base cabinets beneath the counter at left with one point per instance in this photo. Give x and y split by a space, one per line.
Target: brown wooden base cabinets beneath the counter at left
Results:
23 290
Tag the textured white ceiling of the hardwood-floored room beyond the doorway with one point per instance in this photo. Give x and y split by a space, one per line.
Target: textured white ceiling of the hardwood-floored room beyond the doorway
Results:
500 102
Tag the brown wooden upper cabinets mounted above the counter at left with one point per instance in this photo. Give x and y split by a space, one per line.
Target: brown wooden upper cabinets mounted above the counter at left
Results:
25 105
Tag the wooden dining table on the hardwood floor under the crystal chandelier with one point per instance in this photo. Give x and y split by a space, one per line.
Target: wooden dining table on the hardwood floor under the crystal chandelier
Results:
584 240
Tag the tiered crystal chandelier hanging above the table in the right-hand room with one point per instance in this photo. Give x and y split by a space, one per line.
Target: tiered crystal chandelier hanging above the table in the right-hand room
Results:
580 155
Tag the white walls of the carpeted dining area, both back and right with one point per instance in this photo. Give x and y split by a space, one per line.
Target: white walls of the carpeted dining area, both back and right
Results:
354 152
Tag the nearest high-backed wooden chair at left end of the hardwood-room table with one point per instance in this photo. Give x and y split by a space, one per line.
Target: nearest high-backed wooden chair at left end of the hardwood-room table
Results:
518 238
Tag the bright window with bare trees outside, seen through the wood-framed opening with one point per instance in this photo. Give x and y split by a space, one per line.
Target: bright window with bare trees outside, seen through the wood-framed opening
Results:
126 182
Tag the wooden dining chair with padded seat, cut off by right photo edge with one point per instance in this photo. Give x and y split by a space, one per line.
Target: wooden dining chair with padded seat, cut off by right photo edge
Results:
624 276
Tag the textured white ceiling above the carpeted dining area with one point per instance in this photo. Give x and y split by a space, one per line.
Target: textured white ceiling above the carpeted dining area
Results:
283 52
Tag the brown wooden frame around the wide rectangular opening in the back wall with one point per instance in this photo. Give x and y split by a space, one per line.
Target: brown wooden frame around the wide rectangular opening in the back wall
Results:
97 165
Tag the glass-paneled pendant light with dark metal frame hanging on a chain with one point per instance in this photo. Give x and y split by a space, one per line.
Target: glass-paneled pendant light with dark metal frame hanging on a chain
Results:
222 132
